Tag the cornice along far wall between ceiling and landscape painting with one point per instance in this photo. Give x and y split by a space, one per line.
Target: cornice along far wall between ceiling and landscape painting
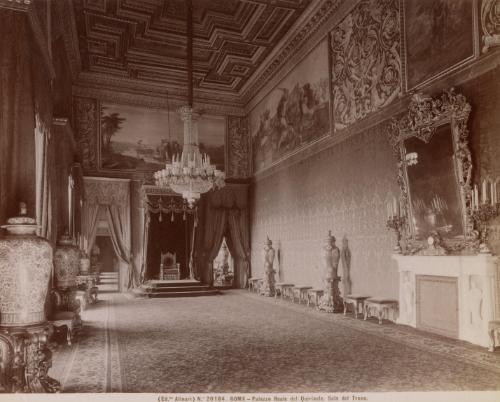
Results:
153 100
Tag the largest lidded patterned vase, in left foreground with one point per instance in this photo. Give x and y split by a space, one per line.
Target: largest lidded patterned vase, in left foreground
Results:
25 267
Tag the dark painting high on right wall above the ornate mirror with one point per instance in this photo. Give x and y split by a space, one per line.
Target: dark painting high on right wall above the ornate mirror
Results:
439 36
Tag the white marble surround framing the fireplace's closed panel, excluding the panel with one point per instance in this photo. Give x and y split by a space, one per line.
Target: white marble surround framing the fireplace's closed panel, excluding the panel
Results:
477 277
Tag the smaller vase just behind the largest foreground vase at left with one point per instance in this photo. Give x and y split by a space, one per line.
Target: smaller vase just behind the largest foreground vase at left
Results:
66 263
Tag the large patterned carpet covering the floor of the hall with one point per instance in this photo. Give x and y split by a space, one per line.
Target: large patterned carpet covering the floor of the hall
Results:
241 342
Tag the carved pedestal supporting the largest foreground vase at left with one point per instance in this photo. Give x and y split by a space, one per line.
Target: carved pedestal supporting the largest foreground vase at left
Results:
26 359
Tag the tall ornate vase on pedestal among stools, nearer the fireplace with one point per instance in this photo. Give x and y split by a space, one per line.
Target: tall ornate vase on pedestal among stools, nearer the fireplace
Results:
331 301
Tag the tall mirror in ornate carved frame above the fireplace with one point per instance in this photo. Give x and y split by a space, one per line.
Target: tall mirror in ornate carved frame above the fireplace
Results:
431 145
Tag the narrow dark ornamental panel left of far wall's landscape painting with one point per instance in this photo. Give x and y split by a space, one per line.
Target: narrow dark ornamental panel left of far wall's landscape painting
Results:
85 111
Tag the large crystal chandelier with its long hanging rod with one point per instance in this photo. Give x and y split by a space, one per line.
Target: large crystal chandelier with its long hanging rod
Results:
190 174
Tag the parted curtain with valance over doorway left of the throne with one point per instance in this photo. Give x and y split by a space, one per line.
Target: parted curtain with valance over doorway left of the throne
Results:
113 196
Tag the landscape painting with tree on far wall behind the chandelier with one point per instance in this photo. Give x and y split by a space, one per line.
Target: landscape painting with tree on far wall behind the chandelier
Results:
139 139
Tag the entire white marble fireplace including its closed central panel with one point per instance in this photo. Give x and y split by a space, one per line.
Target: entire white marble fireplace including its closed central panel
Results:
455 296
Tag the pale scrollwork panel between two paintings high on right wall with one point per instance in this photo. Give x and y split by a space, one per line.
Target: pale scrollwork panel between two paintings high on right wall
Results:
365 61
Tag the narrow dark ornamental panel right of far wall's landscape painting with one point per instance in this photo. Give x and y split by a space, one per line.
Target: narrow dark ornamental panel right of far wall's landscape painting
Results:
238 147
